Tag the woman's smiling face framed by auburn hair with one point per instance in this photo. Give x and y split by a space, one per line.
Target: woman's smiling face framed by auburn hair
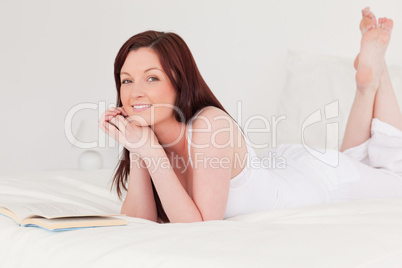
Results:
146 92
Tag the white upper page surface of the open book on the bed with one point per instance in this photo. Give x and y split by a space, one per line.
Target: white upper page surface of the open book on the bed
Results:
48 209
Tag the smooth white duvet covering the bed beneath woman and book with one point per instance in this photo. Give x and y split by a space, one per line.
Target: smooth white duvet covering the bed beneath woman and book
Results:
365 233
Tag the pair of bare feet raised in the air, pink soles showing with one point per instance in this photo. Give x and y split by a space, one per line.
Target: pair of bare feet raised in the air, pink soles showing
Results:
375 40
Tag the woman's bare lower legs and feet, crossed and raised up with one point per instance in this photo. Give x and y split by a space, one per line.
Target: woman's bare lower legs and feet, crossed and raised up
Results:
375 97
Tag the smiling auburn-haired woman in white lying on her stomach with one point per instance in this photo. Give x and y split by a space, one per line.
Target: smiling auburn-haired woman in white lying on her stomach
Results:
168 118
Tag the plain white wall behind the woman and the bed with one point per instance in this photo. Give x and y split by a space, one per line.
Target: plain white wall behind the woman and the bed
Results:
57 54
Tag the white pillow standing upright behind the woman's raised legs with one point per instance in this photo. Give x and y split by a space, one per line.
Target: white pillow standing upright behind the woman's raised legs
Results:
319 85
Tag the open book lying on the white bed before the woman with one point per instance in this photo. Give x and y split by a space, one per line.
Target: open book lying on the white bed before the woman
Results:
56 216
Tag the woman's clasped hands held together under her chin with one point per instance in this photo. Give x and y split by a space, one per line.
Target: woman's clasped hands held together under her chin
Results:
136 139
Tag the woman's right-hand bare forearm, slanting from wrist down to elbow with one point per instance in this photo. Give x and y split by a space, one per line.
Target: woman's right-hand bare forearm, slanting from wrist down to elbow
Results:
178 205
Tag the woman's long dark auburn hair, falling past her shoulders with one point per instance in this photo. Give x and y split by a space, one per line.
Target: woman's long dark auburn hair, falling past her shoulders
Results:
192 93
